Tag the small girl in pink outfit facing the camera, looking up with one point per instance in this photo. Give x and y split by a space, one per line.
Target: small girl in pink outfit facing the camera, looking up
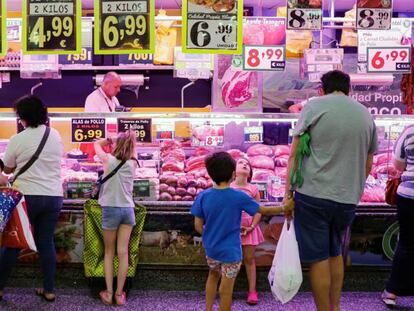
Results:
251 235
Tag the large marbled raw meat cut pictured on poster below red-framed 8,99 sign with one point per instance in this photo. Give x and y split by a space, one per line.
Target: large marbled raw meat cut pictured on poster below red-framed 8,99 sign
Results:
235 87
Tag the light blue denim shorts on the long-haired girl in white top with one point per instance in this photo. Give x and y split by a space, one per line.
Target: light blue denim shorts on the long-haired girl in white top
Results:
113 217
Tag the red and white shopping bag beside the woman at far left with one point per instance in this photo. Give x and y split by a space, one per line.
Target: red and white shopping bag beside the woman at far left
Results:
18 231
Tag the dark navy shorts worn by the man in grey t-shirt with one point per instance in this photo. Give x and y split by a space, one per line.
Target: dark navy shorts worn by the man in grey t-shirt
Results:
320 226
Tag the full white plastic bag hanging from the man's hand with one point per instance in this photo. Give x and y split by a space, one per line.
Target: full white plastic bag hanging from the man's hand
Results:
285 276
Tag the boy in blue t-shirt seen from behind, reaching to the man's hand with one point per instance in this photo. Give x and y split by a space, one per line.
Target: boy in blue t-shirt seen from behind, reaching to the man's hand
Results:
217 214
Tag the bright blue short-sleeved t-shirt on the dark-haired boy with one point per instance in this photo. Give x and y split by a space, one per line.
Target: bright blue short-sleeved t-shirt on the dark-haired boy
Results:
221 211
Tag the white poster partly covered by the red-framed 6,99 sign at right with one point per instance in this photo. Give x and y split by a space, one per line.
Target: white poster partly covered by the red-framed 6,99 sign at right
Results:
398 36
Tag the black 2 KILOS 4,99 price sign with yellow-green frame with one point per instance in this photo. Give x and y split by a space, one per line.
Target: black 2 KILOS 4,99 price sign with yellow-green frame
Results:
51 27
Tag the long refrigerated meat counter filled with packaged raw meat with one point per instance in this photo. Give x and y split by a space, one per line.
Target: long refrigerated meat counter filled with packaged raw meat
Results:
171 151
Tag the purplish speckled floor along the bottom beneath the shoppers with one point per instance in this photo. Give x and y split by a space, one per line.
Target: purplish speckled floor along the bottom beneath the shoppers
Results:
18 299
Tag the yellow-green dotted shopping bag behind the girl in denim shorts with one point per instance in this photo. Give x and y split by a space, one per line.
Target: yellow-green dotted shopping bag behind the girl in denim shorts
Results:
93 252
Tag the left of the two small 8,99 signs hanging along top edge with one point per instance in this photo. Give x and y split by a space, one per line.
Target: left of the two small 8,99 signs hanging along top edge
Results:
304 15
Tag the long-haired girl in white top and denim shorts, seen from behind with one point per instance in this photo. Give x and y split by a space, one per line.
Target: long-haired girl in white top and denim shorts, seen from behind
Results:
118 217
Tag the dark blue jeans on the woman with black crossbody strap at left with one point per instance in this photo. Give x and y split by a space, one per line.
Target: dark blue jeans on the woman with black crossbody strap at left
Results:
43 214
